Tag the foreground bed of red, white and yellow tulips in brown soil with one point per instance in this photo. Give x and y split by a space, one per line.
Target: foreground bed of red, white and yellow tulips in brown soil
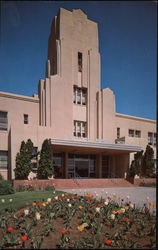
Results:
72 221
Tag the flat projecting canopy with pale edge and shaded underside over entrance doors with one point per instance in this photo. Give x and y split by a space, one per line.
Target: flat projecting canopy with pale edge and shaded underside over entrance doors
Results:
98 146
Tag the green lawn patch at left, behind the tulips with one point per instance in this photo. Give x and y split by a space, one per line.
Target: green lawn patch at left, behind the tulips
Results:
19 199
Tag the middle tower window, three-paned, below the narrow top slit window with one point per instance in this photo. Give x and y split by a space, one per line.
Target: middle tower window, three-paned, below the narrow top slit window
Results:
80 95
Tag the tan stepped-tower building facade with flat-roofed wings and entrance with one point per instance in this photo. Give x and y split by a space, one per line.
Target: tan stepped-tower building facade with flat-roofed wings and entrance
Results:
89 139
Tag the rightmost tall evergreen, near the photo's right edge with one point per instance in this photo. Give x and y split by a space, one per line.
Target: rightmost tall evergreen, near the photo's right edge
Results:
148 162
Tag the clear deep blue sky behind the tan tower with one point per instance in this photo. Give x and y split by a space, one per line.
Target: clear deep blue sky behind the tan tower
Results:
127 44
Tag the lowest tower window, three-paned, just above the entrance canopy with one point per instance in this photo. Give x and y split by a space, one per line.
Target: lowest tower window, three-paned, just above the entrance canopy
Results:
80 129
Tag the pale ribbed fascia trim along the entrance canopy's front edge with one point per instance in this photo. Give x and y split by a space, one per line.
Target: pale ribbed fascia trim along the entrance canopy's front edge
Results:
98 144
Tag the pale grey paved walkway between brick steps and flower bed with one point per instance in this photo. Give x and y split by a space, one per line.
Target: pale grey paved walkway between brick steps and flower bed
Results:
138 195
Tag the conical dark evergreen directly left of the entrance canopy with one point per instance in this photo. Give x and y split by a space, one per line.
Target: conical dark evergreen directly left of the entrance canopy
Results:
45 168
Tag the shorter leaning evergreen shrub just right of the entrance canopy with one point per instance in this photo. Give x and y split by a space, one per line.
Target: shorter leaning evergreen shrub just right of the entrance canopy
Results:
136 165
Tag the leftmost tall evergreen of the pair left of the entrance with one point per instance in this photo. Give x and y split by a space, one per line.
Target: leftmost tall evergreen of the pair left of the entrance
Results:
23 160
